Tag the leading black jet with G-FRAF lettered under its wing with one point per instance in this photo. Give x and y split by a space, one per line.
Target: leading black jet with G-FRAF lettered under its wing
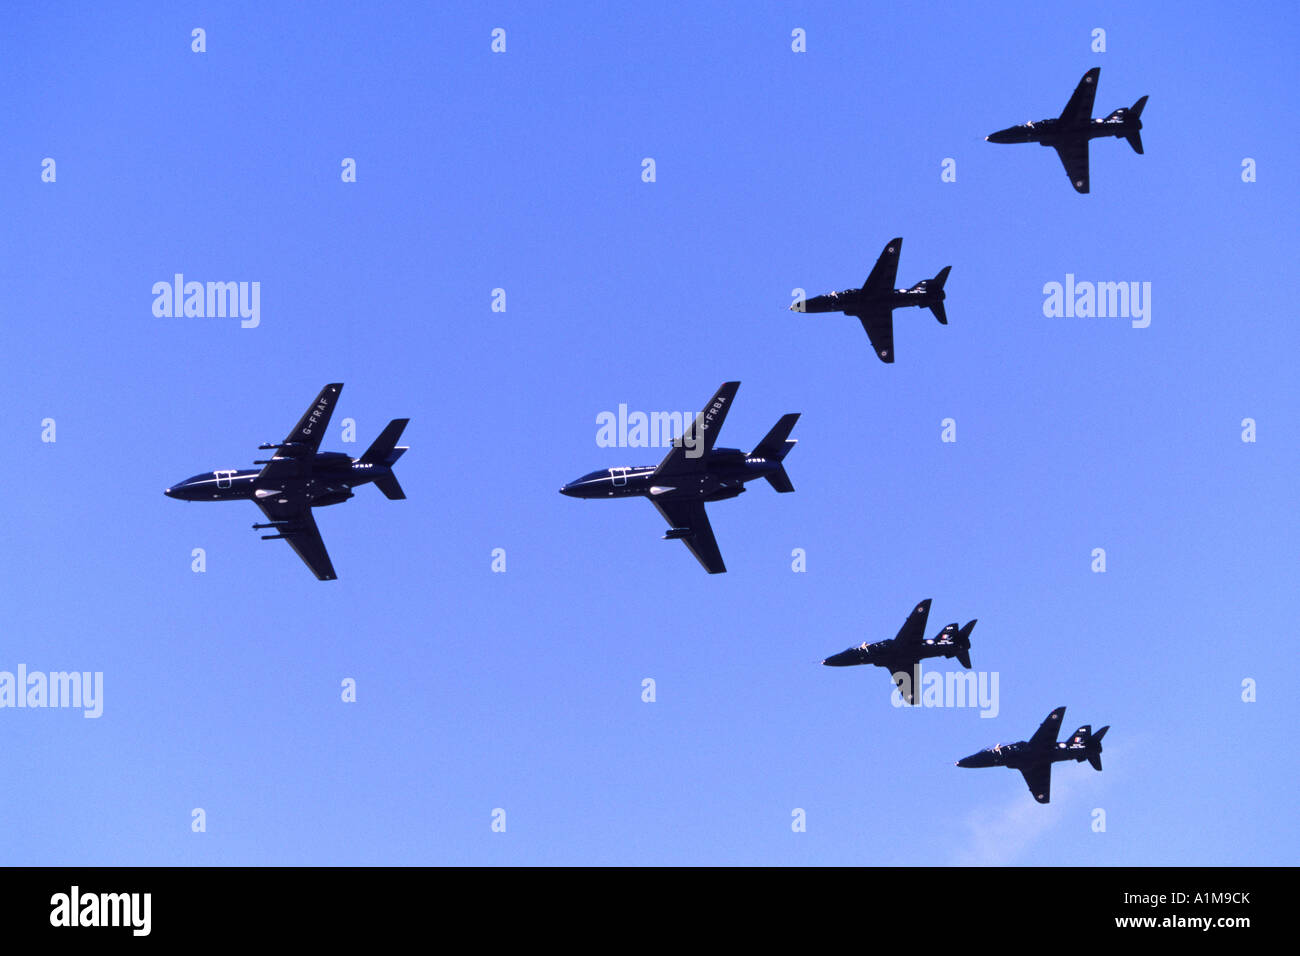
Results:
300 478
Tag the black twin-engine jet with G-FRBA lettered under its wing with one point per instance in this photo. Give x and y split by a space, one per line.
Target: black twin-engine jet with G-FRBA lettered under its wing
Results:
695 473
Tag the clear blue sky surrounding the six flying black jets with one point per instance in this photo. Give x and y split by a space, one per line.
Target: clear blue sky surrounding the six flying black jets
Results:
775 171
